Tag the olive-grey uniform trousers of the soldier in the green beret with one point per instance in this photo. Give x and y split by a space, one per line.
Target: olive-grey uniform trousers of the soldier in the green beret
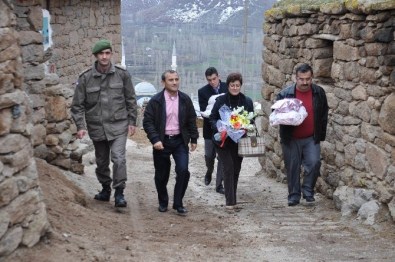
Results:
116 149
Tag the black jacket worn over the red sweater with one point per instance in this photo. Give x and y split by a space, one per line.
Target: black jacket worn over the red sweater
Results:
320 107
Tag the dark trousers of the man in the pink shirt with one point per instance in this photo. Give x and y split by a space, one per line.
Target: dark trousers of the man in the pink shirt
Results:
162 163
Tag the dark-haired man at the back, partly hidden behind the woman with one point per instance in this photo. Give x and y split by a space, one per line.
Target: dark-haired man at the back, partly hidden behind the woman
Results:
214 87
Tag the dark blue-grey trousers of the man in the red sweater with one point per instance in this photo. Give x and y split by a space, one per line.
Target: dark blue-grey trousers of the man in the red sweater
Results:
301 152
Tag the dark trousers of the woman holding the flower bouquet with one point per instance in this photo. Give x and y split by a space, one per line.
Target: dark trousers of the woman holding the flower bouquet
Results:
231 167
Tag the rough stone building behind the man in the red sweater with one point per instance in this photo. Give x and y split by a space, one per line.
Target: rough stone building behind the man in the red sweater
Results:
351 47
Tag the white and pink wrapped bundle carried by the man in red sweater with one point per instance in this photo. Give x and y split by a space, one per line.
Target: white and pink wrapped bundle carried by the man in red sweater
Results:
288 111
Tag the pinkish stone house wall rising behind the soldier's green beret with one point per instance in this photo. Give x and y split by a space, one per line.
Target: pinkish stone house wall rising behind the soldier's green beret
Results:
76 26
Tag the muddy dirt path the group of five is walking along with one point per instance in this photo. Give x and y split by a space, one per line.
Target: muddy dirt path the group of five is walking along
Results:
266 229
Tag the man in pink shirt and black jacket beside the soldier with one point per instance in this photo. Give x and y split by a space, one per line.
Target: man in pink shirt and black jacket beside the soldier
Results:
170 124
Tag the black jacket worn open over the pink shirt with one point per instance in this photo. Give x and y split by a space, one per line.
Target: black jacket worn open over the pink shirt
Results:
154 121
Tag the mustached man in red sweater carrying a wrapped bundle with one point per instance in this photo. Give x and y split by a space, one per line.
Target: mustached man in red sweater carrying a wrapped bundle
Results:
301 144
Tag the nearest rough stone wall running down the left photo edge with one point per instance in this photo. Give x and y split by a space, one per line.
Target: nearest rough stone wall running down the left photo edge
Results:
23 217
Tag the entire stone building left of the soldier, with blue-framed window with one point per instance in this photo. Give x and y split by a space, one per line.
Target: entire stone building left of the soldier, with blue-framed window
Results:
44 45
